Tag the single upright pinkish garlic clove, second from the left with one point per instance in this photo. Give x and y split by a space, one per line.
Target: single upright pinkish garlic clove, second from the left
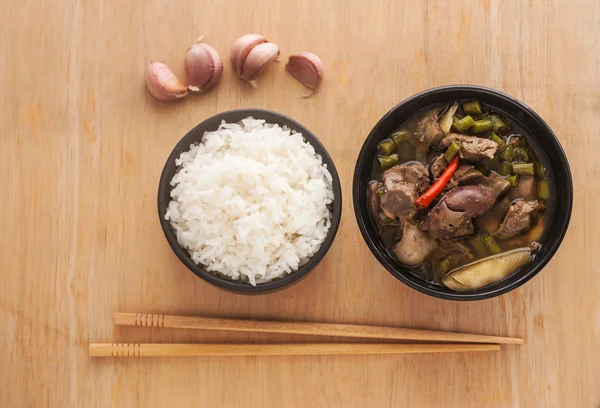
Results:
204 67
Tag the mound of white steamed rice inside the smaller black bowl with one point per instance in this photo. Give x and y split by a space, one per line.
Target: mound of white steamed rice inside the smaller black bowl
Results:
250 202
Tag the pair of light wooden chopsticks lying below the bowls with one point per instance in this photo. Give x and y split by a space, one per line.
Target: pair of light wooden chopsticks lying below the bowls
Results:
461 340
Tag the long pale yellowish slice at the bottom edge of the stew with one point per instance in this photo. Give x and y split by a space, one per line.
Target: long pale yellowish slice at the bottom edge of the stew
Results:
487 271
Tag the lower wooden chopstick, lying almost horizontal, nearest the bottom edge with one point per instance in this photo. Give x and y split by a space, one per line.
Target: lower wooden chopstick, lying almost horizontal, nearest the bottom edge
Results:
199 350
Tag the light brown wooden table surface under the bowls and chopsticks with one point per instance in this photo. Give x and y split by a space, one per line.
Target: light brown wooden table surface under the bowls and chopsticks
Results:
82 145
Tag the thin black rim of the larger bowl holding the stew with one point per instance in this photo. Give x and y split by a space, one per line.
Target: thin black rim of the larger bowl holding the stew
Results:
461 296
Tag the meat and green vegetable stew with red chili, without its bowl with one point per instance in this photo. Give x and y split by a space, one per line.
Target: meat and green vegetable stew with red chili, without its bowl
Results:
460 194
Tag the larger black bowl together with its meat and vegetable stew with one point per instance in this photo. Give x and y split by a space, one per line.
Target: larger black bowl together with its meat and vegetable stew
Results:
502 140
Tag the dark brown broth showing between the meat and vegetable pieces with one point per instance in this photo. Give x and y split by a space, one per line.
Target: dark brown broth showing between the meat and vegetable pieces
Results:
488 222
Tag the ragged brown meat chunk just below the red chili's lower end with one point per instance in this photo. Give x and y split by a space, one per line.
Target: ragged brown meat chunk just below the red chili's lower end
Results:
444 223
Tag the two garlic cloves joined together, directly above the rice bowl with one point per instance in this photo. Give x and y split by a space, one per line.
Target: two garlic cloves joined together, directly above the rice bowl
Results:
252 54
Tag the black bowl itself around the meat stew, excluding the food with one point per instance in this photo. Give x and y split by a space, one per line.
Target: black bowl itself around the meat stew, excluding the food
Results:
531 123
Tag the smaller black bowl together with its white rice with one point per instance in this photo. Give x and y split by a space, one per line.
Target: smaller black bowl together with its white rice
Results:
250 200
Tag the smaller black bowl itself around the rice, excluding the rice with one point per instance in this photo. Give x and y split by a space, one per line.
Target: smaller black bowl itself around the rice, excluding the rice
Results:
195 136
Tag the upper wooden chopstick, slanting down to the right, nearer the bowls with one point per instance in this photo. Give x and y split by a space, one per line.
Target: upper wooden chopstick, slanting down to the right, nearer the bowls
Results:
317 329
